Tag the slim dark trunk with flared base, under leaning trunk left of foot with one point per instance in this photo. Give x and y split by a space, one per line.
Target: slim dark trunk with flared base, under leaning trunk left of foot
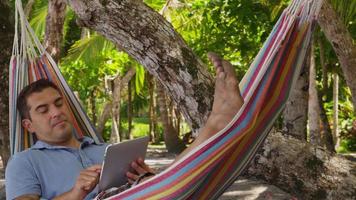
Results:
173 143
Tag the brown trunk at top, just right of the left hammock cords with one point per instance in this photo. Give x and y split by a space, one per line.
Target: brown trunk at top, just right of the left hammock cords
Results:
54 27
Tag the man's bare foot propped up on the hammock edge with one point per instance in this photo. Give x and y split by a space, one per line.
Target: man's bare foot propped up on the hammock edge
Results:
227 96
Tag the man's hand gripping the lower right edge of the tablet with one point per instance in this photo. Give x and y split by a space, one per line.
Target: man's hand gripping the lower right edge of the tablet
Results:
140 168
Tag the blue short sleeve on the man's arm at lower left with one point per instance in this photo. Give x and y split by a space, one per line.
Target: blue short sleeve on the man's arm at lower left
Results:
20 178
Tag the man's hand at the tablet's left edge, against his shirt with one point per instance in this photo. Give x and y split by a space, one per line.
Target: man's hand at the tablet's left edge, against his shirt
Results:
86 182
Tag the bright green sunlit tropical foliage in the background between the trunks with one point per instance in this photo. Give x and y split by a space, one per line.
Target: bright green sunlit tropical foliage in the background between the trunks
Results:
233 28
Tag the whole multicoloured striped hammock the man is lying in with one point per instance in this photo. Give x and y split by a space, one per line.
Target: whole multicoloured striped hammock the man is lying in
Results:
208 170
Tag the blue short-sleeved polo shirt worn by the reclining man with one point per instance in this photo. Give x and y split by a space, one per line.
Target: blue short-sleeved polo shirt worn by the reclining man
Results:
49 171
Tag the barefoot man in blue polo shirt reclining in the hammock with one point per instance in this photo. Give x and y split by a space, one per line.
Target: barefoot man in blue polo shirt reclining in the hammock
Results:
59 166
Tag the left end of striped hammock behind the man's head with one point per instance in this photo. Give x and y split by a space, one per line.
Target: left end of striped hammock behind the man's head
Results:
26 67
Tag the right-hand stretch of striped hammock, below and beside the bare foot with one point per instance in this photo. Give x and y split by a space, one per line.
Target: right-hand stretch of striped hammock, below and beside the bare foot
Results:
207 171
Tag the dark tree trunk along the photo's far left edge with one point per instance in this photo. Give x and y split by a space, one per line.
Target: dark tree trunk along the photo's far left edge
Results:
6 38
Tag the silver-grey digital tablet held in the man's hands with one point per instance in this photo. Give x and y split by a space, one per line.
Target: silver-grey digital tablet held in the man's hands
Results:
117 160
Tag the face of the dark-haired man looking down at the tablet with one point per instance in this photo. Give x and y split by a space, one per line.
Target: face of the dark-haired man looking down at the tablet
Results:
50 118
